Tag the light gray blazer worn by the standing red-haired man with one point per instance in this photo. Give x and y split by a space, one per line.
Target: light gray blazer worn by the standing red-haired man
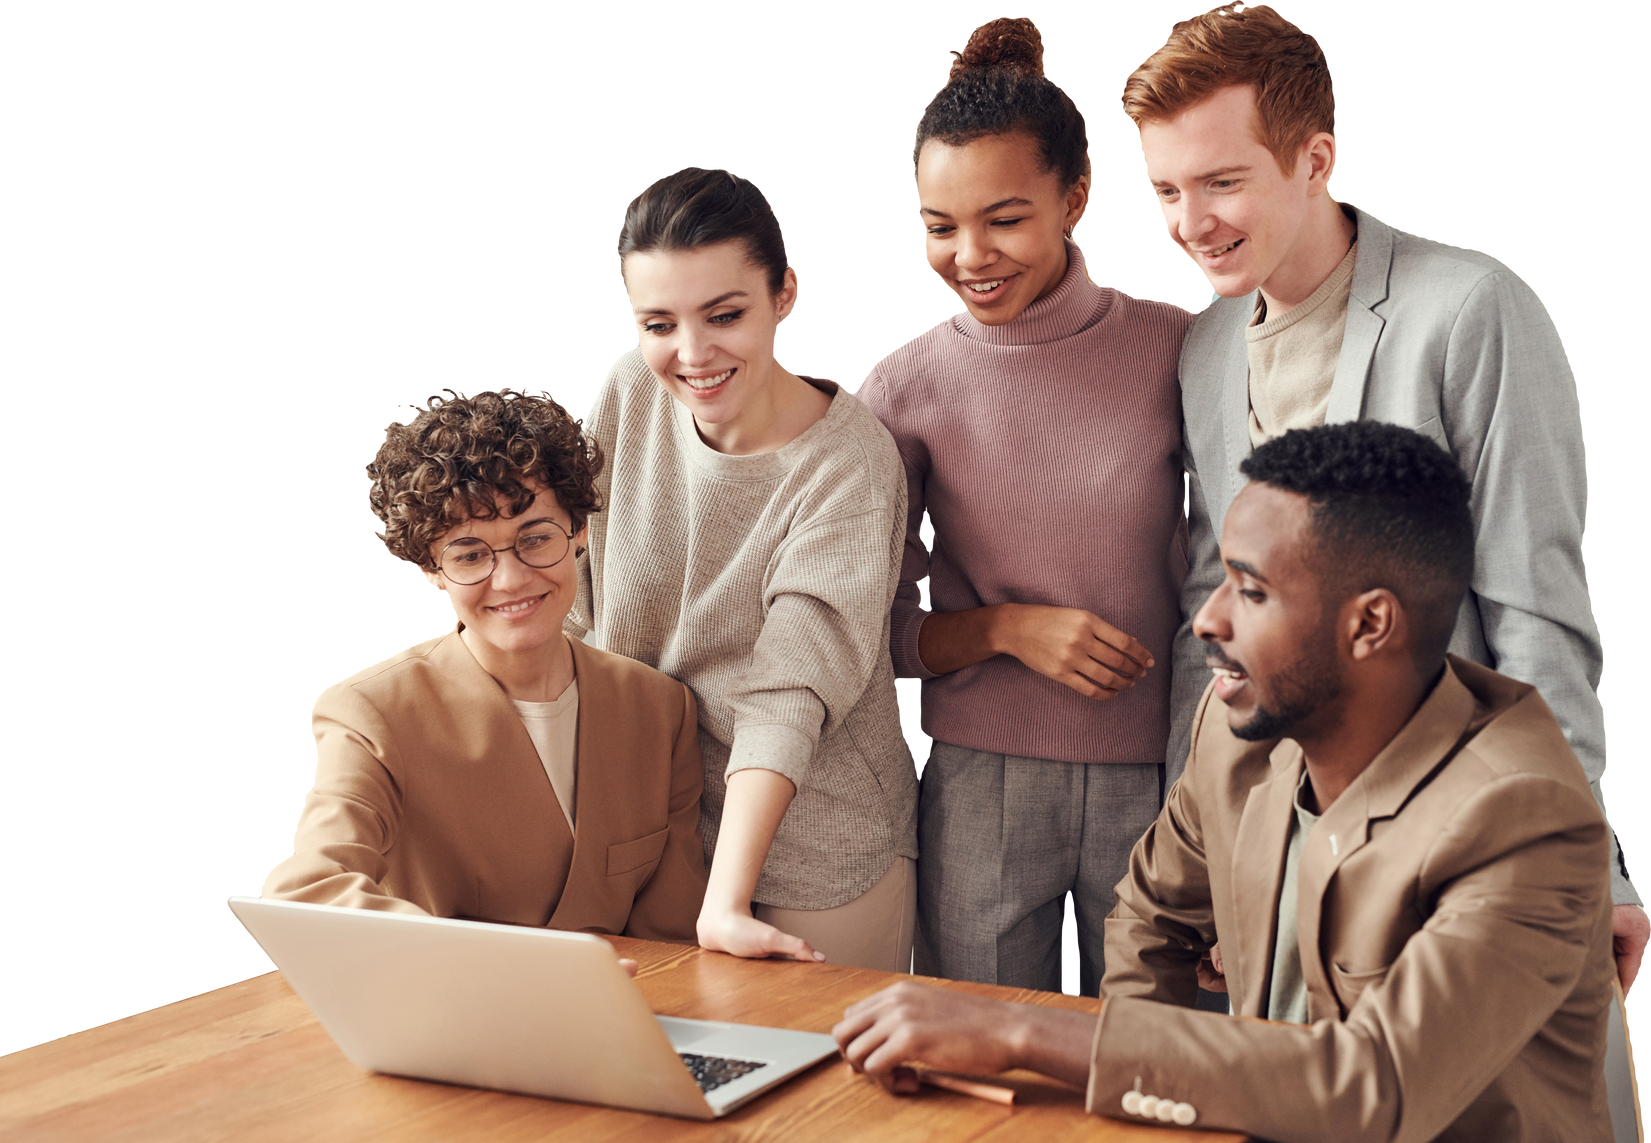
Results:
1452 344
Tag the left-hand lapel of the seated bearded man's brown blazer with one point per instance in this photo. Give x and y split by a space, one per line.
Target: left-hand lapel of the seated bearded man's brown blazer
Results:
1259 873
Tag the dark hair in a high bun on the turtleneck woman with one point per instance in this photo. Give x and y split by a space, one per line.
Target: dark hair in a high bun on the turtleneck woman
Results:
996 87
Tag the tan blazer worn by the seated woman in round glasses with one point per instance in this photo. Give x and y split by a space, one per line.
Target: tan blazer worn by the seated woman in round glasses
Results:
430 797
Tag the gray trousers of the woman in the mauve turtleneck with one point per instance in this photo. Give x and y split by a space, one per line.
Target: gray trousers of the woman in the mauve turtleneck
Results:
1001 840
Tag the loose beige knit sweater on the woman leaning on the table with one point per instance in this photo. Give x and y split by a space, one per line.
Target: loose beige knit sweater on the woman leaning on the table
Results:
764 584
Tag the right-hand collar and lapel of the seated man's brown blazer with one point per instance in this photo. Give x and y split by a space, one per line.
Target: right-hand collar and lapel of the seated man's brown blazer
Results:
1381 792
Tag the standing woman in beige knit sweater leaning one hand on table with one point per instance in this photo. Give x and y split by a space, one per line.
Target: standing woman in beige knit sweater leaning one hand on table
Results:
752 549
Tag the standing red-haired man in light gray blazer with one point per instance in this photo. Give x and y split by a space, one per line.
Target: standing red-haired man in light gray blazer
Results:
1325 315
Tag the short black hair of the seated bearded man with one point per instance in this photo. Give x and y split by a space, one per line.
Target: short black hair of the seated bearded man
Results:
1389 510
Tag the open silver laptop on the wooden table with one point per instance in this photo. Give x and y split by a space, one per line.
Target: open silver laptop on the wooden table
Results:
519 1010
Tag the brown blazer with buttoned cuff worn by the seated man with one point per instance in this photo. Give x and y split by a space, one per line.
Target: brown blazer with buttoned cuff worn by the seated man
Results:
1454 921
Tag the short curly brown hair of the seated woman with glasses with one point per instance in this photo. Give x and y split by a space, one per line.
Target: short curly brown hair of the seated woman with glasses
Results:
448 462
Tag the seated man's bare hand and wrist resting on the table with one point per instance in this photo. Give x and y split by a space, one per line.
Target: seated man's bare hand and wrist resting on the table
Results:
962 1033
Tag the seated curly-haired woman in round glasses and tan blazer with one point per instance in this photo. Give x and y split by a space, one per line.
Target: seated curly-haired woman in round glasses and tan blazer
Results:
453 777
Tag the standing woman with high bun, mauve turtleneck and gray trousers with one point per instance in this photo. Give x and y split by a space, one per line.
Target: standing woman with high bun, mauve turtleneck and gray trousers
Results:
1041 435
